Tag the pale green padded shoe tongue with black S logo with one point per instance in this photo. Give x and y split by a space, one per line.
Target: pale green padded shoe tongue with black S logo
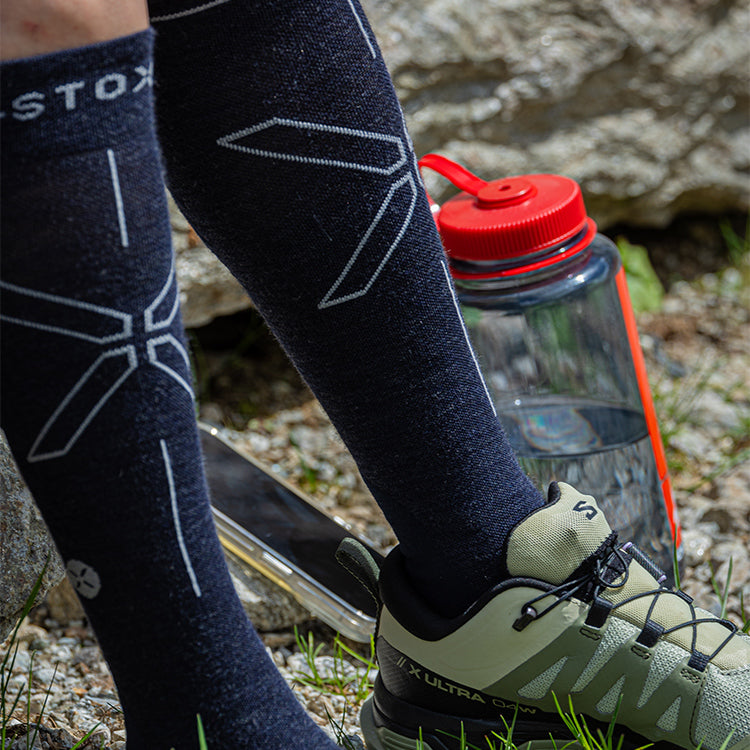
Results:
552 542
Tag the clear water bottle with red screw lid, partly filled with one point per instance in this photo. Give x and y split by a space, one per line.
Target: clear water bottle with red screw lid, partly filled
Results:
547 309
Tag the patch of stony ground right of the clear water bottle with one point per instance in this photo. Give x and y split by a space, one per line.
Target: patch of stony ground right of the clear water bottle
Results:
698 349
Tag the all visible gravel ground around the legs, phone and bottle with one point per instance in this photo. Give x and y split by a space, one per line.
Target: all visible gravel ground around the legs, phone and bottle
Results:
698 353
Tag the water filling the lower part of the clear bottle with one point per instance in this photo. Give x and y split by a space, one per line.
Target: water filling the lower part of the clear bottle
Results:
601 449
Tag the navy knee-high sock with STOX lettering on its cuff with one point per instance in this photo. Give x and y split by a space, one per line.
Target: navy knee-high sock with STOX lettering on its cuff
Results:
98 409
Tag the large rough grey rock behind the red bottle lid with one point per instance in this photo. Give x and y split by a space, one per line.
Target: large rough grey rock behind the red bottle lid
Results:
645 104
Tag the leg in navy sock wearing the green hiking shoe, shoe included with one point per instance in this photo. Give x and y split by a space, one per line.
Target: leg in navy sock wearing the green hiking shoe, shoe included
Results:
286 148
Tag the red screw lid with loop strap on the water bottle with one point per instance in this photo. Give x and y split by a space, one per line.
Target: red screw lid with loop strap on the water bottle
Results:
512 218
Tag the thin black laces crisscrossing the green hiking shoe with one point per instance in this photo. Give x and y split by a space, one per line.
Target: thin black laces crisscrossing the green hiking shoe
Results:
611 561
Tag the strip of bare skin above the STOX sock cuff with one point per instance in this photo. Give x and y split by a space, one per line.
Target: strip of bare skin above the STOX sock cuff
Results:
36 27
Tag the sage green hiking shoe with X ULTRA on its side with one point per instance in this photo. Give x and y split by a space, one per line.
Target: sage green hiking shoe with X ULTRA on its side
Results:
582 616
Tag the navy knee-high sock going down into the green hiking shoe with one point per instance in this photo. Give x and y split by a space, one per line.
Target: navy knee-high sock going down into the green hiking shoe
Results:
286 148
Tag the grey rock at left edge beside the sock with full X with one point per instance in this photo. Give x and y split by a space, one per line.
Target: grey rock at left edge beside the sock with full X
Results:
25 545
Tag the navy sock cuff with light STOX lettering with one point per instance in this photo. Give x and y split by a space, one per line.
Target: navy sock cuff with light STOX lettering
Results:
79 99
